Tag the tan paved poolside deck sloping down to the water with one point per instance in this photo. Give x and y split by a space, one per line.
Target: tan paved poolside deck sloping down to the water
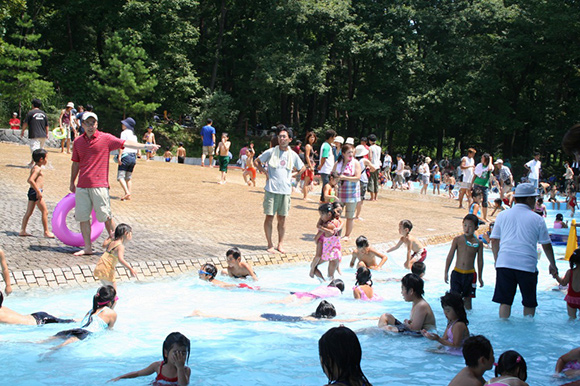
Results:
182 218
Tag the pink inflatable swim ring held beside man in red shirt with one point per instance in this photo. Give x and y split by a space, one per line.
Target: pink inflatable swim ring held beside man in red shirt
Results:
60 229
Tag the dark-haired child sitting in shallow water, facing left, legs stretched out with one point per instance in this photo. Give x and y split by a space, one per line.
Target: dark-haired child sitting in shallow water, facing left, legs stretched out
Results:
422 317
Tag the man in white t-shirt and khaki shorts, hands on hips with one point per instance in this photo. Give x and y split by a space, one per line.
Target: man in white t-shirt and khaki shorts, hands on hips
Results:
281 161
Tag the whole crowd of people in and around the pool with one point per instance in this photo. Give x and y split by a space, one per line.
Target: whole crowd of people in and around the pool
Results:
346 173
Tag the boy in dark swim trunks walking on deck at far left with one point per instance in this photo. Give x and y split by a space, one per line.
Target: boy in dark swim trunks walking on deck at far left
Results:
35 199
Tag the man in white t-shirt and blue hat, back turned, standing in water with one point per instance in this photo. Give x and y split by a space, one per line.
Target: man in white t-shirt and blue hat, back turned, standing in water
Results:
514 240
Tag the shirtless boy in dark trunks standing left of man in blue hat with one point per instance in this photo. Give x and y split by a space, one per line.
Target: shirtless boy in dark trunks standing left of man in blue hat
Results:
468 247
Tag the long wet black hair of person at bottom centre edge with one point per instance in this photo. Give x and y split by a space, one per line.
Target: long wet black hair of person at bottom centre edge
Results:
339 348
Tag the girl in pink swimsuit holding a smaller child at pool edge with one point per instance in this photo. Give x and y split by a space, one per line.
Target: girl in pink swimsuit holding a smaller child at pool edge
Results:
328 247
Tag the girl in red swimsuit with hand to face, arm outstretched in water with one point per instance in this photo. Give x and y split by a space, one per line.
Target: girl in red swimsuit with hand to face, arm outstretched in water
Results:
172 369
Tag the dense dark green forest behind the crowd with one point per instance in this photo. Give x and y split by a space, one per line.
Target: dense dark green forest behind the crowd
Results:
427 77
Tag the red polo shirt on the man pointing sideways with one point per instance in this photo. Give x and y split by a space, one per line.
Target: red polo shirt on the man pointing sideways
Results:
93 158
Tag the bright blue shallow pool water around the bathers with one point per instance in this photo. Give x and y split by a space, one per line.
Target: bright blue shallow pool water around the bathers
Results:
262 353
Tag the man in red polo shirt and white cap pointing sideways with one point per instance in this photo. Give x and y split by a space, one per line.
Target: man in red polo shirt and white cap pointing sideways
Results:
91 165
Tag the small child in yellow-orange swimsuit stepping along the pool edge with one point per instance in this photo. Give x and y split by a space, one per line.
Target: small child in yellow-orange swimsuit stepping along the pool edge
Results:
114 253
